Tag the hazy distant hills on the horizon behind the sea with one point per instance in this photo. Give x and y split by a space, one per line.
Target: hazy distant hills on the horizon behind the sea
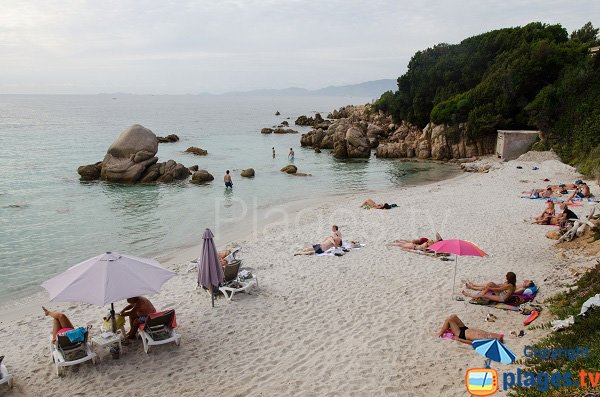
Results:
367 89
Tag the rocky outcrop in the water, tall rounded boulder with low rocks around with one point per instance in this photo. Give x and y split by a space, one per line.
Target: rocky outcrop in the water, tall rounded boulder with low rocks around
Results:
131 159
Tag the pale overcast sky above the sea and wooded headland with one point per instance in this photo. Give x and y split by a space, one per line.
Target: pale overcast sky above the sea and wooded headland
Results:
188 47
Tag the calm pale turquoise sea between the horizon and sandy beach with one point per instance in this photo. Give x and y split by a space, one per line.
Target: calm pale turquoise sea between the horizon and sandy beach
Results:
49 220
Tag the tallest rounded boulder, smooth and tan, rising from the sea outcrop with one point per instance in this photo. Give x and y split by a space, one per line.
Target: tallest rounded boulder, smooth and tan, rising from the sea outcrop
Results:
129 155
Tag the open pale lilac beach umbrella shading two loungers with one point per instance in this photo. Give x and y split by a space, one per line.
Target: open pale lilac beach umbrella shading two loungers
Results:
107 278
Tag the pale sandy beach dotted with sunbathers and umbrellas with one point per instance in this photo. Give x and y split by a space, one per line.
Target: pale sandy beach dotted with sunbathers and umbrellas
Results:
359 325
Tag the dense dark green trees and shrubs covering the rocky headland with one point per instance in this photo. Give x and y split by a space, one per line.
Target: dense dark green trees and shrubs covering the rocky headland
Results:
535 76
